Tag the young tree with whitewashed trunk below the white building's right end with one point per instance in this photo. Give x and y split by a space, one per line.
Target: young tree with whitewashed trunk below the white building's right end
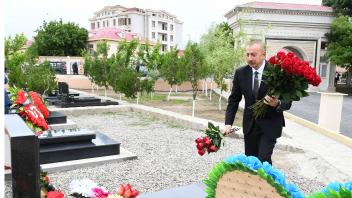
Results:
170 69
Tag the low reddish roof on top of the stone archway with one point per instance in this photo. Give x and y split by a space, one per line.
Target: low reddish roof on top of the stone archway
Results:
287 6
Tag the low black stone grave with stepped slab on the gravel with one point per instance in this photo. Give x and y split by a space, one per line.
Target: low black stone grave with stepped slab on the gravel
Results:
73 144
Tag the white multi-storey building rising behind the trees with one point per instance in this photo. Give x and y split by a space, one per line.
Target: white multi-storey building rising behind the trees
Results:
154 25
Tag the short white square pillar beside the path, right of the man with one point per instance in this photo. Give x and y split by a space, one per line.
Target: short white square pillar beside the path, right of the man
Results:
330 110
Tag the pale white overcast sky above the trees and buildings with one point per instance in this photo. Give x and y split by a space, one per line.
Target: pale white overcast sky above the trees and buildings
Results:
25 16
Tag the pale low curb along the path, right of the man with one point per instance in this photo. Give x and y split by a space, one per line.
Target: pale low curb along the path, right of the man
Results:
321 130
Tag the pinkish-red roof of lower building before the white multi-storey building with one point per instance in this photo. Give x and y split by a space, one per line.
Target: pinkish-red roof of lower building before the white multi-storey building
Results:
113 34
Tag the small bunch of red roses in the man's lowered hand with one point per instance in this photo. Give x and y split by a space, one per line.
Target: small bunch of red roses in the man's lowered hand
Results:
211 142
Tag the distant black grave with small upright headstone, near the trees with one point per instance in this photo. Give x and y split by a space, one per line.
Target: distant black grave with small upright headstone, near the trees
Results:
65 99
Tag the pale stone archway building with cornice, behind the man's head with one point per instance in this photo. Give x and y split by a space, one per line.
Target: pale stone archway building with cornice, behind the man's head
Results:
298 28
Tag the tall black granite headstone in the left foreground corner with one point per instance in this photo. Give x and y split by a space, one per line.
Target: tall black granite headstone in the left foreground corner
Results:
24 158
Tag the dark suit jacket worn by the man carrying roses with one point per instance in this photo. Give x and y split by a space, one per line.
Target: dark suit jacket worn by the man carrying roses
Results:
273 121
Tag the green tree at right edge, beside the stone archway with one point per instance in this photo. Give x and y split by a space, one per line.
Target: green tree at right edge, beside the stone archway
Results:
339 48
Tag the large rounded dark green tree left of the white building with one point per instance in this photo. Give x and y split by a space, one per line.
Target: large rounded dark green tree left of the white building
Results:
60 39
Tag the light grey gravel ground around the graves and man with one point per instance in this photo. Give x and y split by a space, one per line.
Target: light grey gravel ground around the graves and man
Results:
167 156
